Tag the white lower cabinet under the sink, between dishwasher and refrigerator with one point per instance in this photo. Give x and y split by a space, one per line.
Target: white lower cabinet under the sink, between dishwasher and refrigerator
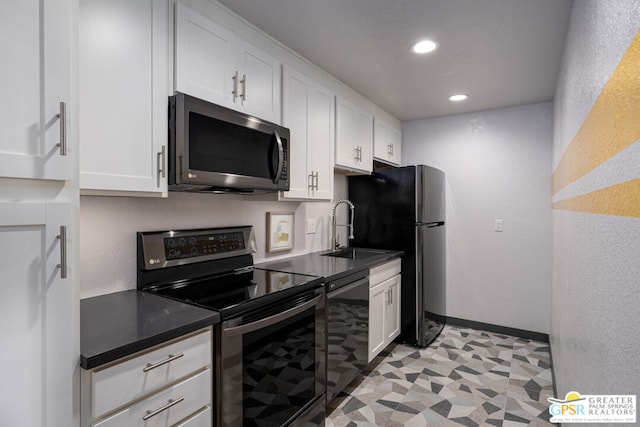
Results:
384 306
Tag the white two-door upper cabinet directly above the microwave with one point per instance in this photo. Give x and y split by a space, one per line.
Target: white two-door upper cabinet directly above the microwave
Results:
215 64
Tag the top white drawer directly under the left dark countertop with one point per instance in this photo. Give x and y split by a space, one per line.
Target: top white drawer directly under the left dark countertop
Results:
120 383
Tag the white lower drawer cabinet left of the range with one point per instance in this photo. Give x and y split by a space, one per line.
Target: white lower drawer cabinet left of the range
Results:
165 386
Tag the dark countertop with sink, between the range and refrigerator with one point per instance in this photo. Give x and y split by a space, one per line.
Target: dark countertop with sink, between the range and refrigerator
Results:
330 268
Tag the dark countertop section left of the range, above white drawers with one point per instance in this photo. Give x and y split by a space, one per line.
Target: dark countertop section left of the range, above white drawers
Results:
119 324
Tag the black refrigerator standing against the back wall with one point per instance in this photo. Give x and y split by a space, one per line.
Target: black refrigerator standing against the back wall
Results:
403 209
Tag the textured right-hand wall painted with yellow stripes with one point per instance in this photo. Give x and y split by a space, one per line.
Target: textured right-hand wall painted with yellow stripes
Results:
596 198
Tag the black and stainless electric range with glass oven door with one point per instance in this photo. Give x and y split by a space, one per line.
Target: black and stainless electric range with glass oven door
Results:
270 347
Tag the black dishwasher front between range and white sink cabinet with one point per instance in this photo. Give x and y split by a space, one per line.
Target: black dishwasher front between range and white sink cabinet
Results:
347 330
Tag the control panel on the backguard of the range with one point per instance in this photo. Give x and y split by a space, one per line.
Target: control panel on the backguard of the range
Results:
170 248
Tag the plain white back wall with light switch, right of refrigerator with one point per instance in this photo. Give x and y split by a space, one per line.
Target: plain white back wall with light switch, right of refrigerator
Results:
497 166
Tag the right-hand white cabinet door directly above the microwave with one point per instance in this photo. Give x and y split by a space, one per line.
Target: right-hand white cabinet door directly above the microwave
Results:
259 83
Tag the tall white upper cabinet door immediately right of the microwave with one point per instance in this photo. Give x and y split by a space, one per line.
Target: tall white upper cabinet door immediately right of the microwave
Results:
295 116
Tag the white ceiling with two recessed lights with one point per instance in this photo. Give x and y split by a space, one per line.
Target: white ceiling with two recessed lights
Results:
500 52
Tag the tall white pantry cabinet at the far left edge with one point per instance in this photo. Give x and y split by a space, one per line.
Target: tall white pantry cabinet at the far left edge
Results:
38 213
